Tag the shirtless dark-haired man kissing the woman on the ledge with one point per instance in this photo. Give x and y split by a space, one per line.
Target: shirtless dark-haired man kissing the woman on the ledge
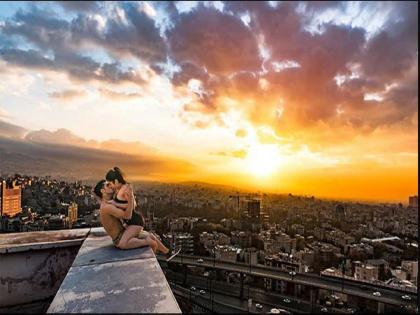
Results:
111 219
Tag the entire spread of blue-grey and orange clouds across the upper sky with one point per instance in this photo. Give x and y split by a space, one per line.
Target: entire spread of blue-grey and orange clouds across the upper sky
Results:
225 55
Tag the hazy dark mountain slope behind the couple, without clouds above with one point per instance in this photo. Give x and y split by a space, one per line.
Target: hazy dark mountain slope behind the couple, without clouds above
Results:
76 162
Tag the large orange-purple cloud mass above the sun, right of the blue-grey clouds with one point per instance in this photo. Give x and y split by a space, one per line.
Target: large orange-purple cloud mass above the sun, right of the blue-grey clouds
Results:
220 51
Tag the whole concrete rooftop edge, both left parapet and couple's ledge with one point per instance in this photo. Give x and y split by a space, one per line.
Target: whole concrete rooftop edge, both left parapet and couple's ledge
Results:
98 278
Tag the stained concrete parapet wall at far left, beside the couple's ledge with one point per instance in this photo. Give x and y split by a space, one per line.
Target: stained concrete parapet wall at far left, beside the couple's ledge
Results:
33 264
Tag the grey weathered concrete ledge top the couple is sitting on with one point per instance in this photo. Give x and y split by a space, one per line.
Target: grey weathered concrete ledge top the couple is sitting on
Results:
104 279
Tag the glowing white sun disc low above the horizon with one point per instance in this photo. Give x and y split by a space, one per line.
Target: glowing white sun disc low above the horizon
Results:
263 159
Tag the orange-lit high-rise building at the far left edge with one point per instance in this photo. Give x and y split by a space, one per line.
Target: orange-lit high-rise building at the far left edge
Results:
10 198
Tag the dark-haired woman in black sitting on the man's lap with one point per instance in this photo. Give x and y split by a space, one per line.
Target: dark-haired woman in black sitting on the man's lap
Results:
133 226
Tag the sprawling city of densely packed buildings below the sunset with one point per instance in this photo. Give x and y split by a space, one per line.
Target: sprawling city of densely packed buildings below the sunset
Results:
371 244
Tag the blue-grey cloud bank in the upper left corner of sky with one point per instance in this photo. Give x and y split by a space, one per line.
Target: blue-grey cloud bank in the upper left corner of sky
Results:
129 31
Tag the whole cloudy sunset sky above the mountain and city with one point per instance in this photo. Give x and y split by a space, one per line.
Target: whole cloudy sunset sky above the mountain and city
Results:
314 98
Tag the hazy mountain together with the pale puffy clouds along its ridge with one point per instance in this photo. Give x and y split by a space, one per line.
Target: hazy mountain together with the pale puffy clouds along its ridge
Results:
62 154
